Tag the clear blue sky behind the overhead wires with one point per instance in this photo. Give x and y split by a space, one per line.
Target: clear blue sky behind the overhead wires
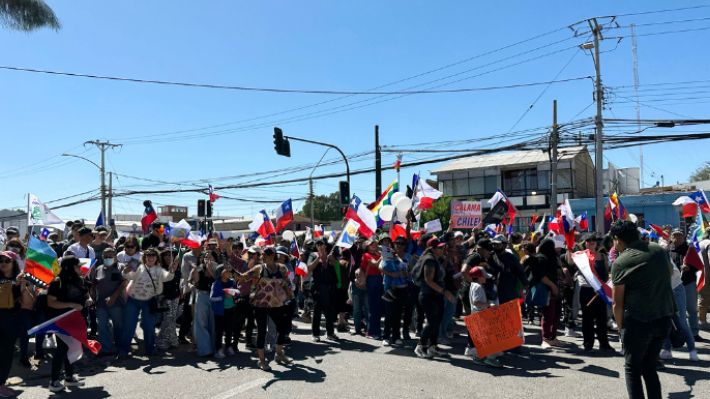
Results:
313 45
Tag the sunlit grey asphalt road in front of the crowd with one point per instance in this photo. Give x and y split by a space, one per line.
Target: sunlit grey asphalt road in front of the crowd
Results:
357 367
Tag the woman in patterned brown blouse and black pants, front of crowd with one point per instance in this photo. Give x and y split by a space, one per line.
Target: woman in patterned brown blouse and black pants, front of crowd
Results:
271 292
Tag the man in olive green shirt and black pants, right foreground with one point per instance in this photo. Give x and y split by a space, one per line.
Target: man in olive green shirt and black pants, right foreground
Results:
643 306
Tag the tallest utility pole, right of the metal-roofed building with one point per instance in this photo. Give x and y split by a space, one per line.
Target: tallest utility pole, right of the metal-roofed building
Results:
599 134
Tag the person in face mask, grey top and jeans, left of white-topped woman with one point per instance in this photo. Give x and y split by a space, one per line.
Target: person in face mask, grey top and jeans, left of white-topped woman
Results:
108 285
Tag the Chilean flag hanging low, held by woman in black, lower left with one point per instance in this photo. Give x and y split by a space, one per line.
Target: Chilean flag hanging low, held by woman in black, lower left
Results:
70 327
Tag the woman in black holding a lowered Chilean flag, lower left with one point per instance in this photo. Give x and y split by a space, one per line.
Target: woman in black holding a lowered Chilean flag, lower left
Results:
68 291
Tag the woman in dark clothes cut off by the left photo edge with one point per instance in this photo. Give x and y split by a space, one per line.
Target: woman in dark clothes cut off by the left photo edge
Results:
9 309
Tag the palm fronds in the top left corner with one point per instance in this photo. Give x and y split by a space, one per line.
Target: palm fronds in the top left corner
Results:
27 15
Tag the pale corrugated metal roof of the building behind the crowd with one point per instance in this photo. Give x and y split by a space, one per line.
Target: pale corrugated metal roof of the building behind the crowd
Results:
505 159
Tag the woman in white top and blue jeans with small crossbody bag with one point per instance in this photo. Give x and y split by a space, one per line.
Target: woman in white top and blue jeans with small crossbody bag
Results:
145 284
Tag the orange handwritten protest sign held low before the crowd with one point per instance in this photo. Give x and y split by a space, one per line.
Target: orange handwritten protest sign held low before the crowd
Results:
496 329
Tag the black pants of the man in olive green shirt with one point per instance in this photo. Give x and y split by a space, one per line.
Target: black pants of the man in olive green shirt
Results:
642 344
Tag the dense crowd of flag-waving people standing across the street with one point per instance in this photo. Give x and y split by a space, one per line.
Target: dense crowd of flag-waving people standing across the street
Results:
213 297
